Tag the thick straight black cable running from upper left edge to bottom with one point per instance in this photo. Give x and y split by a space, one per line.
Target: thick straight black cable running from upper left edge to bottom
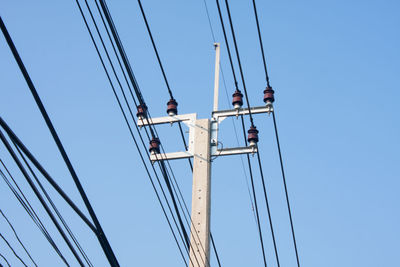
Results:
100 233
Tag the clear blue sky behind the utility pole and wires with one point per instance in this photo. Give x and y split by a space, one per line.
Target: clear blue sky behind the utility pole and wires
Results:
335 68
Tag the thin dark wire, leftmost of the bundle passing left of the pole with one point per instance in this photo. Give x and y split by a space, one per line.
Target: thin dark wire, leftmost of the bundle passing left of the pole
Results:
131 133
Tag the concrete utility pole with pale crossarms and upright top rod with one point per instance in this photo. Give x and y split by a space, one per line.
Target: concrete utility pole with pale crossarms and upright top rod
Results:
203 144
